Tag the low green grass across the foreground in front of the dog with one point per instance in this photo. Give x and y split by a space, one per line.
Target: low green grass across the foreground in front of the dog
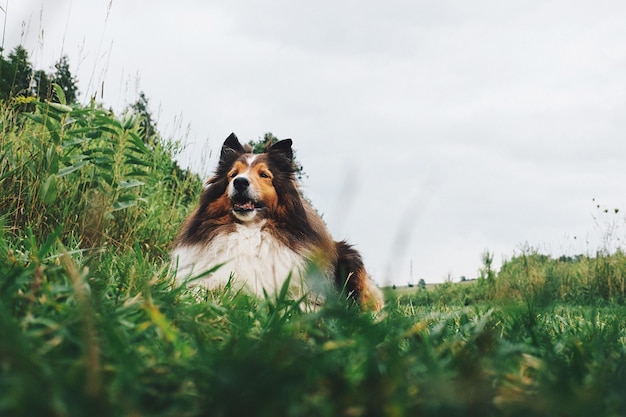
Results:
121 340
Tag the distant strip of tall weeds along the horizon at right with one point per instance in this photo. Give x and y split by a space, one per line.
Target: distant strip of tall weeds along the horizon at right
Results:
537 278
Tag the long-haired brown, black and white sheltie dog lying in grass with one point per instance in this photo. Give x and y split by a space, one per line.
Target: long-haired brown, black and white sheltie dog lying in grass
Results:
252 229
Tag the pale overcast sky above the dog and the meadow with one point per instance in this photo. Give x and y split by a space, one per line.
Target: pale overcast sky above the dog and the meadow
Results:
430 131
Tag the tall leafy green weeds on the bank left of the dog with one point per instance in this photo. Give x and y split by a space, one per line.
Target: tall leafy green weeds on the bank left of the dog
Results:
84 171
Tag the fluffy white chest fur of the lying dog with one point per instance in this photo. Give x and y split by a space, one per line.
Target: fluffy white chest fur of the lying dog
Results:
254 258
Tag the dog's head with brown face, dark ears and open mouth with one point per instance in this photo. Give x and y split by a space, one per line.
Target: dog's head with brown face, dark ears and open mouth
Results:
256 183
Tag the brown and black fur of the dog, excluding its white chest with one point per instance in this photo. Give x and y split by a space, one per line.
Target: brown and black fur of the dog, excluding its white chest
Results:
262 190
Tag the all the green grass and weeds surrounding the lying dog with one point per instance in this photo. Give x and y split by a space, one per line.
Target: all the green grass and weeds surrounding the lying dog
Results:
91 322
